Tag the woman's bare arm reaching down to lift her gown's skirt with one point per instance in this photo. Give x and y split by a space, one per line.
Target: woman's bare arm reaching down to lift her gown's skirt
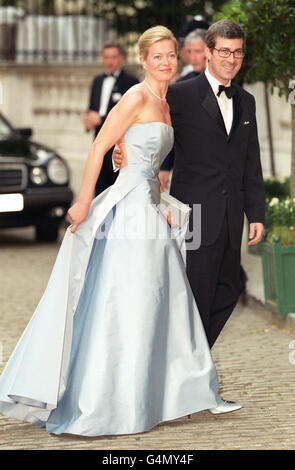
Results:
120 118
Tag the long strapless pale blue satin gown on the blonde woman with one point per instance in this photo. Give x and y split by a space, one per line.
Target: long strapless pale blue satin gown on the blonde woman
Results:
116 344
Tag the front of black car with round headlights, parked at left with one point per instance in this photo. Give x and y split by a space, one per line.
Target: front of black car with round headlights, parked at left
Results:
34 183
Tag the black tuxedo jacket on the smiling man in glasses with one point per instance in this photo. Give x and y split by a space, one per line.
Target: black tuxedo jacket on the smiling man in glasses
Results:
214 169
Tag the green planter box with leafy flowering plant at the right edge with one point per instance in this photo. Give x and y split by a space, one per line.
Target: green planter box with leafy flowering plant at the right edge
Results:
278 255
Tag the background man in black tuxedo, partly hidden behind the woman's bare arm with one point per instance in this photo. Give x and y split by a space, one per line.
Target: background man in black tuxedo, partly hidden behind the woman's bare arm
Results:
106 90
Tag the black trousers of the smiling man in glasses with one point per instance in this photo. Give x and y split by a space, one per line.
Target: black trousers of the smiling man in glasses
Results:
214 275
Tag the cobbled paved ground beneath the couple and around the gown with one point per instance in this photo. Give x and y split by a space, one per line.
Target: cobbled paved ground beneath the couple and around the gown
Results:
252 357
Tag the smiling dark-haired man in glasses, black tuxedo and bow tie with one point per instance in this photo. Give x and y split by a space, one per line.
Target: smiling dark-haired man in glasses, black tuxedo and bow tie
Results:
217 164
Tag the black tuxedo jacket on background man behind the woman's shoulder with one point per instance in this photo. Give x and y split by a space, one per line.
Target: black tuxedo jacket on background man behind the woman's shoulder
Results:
123 82
